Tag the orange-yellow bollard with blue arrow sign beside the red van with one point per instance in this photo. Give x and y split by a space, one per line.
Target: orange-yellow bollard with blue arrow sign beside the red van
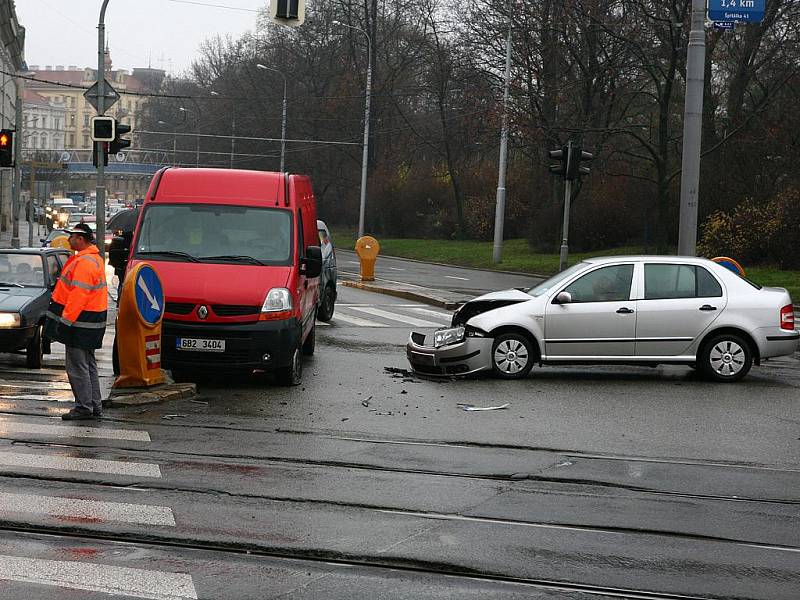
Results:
139 329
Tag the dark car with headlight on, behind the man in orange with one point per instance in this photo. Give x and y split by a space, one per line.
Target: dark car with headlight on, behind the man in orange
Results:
27 278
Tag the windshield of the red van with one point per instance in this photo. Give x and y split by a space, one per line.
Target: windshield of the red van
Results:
216 233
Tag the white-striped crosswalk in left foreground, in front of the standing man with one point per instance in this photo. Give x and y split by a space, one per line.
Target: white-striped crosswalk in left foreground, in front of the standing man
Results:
21 500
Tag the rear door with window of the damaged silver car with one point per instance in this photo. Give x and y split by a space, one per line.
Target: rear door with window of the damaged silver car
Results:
680 301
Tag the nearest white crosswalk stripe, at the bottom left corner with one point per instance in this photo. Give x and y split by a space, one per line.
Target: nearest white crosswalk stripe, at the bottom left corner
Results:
107 579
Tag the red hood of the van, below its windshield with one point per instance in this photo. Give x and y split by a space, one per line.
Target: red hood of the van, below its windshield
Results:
218 283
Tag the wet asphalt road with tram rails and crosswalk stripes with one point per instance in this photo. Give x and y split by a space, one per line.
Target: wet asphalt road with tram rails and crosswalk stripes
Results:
363 482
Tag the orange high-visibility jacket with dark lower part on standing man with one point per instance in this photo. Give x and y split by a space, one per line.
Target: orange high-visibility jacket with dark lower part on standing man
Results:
78 308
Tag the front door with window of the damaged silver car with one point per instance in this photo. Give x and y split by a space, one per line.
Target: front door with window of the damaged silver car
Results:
600 320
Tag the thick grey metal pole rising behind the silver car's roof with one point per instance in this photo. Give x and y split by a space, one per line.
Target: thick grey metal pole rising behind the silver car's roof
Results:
692 129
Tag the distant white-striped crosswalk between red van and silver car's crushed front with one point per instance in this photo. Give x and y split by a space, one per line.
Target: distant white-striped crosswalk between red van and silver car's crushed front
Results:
388 315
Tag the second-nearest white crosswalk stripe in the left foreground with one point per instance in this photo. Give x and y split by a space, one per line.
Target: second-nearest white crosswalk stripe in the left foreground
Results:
82 510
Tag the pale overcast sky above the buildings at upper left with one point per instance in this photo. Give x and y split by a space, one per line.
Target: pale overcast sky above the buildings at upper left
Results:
164 34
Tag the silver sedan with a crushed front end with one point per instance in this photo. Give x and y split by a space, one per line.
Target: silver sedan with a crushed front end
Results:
644 310
